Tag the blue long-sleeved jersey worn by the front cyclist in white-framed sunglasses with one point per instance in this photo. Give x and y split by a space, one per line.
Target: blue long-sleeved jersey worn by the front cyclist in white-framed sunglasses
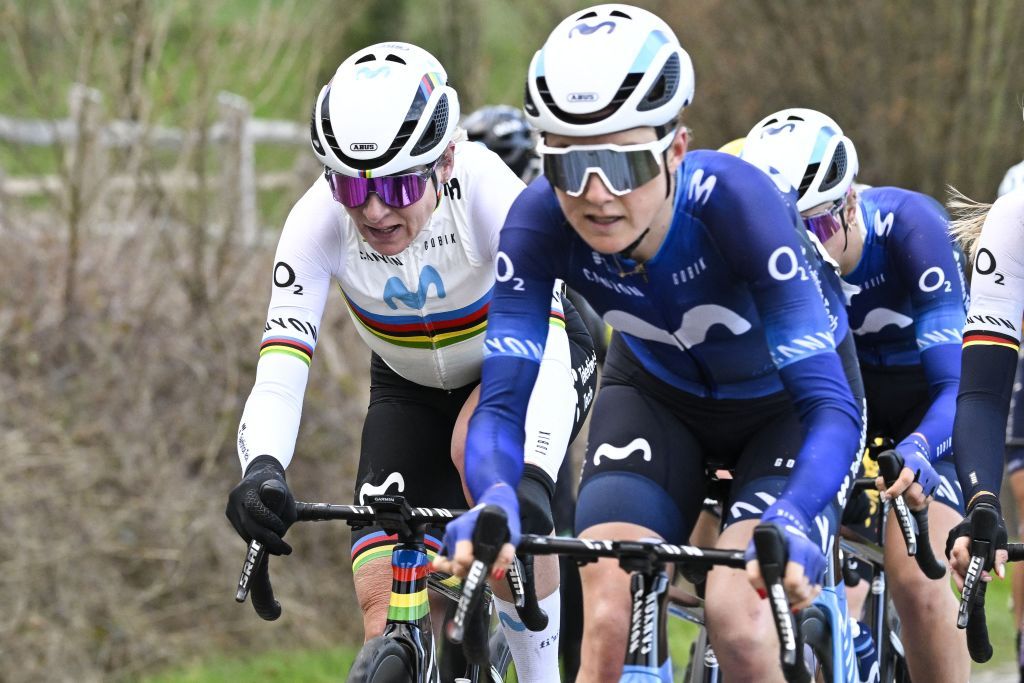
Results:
732 307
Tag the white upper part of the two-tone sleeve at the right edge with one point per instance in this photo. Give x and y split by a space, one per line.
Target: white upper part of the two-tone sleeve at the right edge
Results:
998 283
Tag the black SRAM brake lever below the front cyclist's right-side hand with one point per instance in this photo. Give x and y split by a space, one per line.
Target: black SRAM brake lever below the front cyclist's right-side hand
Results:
771 546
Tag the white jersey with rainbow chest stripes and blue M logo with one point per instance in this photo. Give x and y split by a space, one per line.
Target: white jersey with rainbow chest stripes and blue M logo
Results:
423 311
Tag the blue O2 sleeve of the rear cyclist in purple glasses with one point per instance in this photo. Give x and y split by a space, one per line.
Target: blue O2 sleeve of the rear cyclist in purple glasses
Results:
929 267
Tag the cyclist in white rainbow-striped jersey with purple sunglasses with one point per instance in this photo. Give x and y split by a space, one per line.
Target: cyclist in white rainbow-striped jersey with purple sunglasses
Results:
406 221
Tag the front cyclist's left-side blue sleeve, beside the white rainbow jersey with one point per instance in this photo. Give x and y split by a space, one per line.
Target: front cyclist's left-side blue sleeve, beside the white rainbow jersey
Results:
518 331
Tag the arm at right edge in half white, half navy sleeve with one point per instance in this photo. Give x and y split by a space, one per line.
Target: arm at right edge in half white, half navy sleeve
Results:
992 341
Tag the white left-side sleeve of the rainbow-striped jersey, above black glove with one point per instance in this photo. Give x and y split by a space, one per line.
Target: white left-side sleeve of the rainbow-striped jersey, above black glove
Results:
309 257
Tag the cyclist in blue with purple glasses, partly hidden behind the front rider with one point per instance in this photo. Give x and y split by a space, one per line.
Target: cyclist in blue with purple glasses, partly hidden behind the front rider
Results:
907 310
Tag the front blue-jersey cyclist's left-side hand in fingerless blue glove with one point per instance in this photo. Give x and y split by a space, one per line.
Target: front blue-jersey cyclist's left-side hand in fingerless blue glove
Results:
457 551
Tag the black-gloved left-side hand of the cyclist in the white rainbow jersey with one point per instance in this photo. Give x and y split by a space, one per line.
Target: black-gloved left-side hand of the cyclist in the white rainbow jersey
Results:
262 507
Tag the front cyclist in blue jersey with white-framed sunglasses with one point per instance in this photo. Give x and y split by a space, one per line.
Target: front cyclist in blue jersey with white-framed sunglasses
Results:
724 355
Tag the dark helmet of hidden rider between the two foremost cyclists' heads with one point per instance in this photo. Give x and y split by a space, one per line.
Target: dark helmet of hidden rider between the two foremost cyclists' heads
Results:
505 132
